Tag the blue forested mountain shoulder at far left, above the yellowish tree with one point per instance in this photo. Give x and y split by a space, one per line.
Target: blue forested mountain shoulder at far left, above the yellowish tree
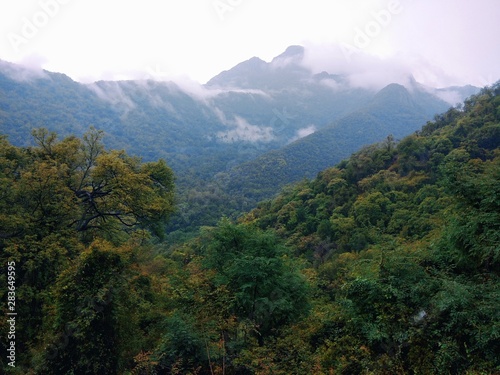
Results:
31 99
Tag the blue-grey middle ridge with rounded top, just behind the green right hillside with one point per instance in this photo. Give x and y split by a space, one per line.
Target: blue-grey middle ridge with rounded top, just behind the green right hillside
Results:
393 111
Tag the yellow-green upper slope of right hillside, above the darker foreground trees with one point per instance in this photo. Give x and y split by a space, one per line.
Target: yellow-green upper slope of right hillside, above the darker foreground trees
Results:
421 168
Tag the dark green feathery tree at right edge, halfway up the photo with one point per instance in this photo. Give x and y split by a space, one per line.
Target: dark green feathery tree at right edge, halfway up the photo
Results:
474 235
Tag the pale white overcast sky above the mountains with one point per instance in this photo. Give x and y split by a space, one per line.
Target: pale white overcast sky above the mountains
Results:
440 42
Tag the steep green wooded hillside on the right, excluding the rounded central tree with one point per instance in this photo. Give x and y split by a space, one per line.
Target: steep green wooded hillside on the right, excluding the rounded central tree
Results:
401 244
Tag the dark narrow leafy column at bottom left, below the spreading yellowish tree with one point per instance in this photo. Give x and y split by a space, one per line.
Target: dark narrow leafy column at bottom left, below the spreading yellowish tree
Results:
86 325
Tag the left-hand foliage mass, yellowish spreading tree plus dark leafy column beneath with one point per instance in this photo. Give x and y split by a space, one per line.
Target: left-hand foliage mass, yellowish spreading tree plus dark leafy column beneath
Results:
57 198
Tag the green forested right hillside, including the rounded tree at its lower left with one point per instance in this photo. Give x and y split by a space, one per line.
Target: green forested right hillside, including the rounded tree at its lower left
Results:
397 250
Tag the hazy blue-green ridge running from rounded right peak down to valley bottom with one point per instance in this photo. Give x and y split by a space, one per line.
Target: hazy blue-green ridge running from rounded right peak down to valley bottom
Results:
393 110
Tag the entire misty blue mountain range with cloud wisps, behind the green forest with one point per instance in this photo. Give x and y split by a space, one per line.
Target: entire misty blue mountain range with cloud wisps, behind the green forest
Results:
274 110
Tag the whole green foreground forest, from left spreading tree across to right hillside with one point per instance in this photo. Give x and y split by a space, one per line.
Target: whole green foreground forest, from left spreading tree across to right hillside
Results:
387 263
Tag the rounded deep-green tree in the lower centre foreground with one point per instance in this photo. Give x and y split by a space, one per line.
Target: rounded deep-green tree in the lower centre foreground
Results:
254 266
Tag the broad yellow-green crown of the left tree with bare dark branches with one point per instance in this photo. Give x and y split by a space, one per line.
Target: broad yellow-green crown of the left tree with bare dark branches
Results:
76 184
